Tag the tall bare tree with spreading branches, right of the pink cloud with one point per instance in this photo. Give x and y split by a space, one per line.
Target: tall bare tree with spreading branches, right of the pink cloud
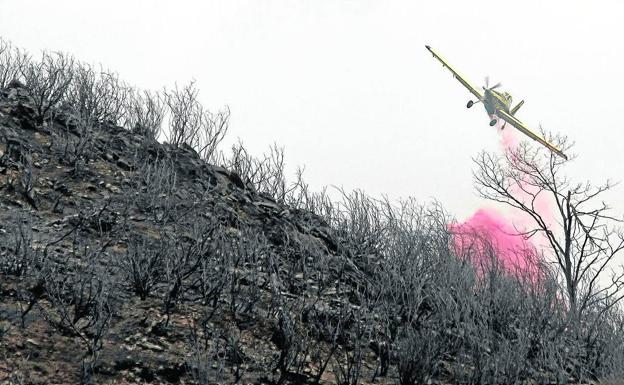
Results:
584 238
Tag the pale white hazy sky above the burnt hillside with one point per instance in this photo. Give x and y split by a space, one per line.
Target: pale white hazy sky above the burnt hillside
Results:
348 88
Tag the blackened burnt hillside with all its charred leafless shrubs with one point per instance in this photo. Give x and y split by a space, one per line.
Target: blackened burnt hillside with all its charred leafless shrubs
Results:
123 259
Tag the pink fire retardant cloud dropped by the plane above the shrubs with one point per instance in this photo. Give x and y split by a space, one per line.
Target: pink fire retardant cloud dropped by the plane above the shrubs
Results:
494 238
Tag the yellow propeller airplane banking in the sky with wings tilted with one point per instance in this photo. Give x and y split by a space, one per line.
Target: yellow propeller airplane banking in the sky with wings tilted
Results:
498 105
